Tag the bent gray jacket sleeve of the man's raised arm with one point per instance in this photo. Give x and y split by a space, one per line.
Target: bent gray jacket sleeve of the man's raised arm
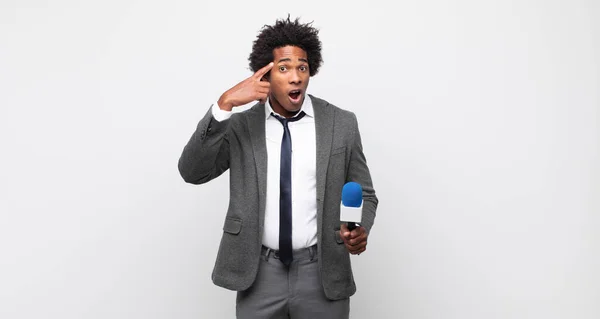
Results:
206 155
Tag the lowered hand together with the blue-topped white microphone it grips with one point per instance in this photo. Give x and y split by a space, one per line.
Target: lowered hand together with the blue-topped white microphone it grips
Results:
354 236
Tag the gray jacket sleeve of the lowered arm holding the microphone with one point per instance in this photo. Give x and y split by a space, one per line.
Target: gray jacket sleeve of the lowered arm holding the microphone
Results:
358 172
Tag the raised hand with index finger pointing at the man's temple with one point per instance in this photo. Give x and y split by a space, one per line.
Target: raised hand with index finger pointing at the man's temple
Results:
251 89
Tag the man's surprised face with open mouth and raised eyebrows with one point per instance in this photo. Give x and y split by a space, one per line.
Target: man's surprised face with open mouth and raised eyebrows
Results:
289 79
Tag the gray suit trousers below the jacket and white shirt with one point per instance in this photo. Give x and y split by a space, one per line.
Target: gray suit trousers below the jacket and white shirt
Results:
295 292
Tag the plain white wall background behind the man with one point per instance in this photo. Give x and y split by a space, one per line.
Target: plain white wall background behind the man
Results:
480 120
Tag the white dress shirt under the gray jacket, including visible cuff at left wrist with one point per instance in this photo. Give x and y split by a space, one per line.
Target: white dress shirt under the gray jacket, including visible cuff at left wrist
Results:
304 176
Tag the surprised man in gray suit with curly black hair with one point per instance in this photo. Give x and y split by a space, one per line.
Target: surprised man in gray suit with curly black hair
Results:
283 247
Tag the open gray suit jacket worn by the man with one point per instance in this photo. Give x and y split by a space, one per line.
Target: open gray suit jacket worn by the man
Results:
238 144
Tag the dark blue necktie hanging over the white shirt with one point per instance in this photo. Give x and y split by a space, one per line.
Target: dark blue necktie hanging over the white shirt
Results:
285 191
